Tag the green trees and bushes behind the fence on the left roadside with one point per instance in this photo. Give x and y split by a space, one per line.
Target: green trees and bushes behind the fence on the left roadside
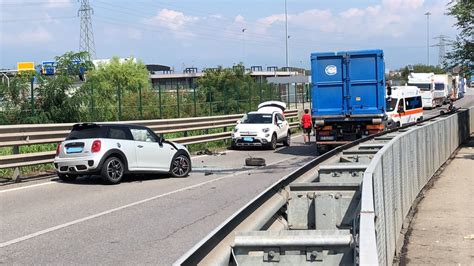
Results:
122 91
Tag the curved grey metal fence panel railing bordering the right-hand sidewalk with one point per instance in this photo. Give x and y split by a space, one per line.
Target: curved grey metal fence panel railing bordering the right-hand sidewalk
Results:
397 174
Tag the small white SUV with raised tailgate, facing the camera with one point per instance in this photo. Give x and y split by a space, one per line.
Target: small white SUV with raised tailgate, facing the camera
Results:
265 127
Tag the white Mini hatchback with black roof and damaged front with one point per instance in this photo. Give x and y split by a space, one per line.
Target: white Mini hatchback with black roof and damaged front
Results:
113 150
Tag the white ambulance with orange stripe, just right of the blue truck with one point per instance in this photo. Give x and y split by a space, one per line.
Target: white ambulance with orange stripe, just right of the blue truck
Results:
404 106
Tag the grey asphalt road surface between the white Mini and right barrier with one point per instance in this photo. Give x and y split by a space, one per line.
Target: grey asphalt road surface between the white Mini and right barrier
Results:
151 219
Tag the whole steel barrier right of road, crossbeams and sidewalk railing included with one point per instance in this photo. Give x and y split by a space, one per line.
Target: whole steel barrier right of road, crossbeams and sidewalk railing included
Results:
353 208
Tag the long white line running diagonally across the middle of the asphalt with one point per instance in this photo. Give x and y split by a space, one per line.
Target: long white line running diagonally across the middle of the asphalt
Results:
55 228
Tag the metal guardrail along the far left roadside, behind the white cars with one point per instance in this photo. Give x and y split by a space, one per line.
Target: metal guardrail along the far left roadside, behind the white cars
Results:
18 135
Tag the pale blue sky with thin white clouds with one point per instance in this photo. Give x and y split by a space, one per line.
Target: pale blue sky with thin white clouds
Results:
207 33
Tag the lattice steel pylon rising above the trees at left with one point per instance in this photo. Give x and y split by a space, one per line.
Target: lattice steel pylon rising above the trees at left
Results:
86 38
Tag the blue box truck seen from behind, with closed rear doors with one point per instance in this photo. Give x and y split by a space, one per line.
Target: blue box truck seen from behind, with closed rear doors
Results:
348 96
